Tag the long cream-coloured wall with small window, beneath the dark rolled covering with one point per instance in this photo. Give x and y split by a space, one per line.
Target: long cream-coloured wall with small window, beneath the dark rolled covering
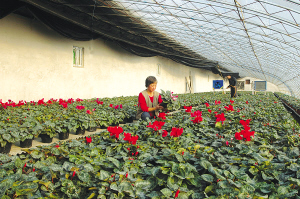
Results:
36 63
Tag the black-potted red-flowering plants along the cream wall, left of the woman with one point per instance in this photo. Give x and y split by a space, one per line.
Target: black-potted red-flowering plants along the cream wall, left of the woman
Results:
24 121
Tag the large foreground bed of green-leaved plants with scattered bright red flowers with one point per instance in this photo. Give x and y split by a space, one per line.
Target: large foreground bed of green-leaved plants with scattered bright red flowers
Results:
242 148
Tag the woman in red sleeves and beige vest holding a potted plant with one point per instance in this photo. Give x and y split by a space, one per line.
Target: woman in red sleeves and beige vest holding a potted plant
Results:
149 100
